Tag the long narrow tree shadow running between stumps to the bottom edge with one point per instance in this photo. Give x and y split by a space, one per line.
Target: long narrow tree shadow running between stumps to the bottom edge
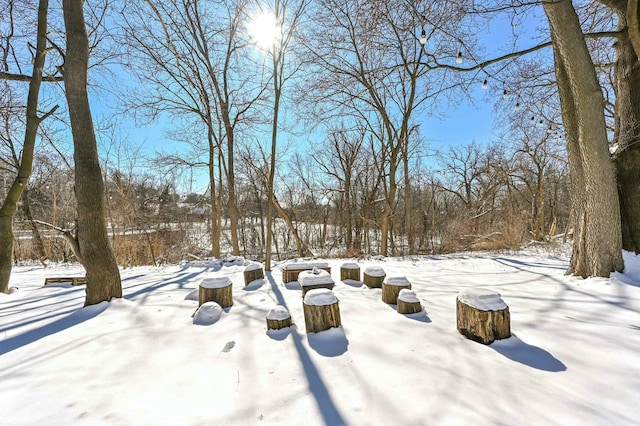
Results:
327 407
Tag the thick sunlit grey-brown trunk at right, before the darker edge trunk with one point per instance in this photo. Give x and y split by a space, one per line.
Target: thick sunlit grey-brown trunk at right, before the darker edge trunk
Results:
597 249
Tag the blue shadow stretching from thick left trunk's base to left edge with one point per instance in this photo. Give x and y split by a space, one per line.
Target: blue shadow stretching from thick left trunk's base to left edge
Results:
74 318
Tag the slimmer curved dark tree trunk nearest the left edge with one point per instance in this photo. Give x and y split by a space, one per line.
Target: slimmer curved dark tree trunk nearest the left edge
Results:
10 203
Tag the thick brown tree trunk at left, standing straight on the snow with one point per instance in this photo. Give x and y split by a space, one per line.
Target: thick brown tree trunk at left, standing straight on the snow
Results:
103 276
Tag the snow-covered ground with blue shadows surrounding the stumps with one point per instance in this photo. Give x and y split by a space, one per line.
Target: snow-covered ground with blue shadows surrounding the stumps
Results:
574 357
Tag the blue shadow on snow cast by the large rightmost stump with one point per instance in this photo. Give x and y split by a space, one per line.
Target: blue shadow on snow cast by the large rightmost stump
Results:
524 353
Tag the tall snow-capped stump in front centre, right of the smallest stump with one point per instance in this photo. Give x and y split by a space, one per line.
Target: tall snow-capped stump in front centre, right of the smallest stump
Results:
321 310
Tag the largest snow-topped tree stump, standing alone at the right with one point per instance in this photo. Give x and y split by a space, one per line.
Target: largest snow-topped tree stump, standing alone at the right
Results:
482 315
